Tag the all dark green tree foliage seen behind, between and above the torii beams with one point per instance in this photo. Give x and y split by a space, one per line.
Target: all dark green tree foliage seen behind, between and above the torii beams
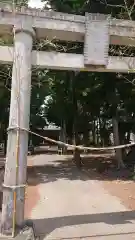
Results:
83 101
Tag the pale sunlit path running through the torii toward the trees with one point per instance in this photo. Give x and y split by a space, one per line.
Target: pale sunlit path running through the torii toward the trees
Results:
67 204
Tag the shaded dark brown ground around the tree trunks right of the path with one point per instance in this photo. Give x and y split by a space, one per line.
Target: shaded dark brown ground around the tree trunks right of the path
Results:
104 167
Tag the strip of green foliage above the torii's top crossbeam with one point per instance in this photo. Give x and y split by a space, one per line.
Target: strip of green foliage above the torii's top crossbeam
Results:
117 8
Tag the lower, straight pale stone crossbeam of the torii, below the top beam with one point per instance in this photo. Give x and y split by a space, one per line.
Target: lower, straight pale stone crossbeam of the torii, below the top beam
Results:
68 61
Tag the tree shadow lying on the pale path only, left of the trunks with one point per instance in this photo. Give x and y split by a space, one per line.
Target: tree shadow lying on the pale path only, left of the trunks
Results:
63 169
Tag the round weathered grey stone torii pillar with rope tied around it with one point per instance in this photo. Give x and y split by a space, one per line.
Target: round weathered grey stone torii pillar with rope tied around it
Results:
15 173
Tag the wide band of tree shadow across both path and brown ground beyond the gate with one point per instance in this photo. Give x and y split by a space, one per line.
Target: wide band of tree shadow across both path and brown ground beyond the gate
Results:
95 167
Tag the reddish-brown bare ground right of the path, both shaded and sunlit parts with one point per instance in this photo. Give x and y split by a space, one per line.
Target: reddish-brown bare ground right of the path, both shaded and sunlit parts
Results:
118 182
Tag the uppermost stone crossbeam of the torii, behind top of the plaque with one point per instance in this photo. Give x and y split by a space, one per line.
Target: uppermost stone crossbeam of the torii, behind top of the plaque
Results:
65 26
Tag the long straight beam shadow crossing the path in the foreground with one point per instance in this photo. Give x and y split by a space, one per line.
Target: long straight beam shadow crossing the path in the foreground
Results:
43 227
